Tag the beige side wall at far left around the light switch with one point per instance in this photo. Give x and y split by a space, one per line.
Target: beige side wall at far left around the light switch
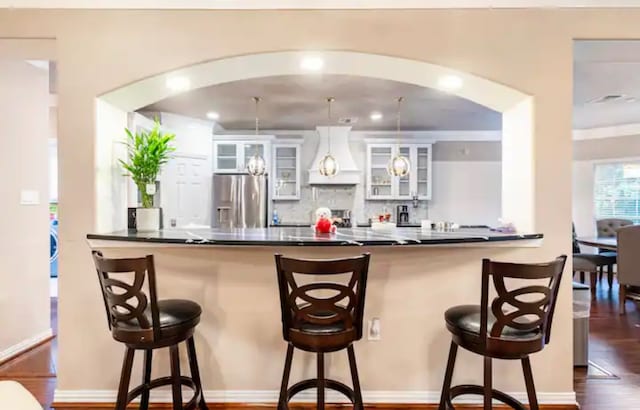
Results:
24 243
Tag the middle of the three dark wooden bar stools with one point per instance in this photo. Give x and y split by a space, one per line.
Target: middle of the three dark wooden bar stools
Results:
321 317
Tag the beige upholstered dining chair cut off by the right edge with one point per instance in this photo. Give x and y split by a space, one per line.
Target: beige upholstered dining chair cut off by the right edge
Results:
628 263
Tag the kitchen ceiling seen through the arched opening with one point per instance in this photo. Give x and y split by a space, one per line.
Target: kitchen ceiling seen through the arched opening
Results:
298 102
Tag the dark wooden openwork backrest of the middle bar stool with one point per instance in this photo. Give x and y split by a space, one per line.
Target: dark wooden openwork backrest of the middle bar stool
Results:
345 305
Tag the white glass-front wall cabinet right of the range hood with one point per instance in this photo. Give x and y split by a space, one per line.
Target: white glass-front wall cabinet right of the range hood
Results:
382 186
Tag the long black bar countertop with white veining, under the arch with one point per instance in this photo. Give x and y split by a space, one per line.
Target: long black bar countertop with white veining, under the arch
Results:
305 236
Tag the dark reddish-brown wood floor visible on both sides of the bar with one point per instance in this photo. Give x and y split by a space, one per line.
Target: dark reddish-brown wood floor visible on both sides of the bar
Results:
614 348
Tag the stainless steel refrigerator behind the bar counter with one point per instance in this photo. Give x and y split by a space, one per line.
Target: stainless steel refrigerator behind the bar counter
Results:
239 201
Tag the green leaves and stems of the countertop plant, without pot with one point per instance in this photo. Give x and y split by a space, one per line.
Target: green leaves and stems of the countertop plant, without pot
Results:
147 152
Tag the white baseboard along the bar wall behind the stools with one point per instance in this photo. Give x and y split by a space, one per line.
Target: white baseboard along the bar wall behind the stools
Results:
271 396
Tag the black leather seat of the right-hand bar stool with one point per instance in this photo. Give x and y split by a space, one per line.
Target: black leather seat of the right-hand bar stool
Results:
465 319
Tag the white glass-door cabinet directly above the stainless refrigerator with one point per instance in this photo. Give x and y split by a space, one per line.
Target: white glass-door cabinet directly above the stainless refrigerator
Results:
231 156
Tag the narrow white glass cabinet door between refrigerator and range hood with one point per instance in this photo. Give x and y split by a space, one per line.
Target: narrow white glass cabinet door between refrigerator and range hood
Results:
286 172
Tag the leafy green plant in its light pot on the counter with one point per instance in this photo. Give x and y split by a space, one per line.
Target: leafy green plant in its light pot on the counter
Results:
147 152
